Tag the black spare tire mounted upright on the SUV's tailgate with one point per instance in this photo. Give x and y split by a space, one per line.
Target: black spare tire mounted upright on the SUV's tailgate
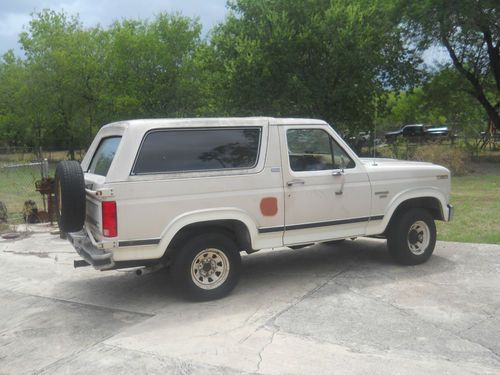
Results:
70 196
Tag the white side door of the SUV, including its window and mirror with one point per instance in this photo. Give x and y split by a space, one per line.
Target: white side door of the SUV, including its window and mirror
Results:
327 190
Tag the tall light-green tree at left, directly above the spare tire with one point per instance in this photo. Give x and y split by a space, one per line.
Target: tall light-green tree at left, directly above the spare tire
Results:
63 76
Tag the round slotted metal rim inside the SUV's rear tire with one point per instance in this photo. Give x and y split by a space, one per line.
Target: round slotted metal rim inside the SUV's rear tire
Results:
210 268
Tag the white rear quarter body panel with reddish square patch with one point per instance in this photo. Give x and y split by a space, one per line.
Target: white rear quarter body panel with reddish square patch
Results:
153 207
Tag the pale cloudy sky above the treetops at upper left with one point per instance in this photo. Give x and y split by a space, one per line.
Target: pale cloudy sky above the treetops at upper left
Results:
15 14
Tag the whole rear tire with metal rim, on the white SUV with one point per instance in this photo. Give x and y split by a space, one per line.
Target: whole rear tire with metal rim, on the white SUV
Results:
207 267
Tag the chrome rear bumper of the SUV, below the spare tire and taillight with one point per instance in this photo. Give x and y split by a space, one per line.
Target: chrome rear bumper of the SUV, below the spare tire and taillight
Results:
98 258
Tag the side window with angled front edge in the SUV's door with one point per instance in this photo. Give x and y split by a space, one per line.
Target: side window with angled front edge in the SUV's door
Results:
315 150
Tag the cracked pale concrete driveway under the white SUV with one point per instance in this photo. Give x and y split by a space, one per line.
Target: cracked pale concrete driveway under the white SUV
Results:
324 309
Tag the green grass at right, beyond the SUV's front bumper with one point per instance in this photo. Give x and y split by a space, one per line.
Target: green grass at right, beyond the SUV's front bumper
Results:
477 210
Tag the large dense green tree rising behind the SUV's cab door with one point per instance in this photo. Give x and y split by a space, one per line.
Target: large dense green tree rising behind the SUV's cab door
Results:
311 58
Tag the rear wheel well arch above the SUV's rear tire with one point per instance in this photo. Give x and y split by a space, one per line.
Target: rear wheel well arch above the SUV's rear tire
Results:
234 229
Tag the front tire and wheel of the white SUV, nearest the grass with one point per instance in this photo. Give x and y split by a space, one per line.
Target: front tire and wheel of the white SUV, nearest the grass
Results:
412 237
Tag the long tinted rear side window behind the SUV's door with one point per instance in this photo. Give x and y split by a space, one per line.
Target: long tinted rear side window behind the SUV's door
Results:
165 151
